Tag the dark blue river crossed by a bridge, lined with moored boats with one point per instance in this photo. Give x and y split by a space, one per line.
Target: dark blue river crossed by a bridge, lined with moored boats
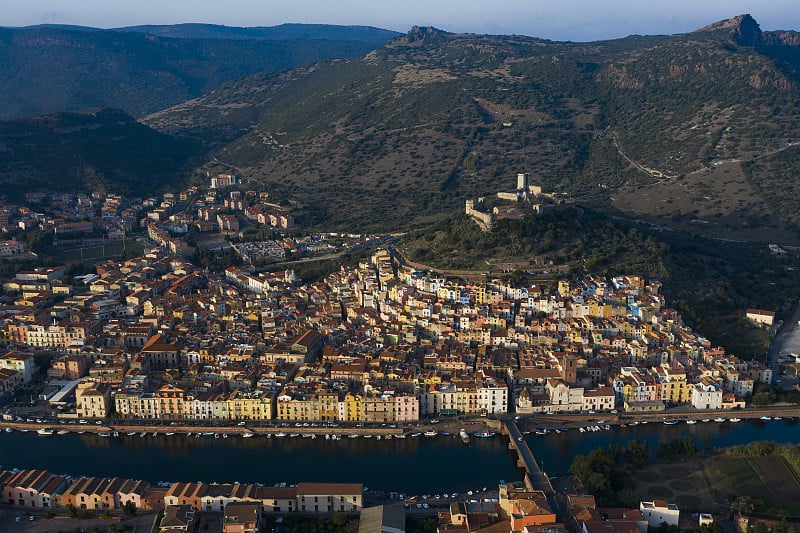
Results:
413 465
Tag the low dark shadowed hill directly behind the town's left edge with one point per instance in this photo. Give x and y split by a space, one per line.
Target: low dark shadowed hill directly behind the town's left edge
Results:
103 149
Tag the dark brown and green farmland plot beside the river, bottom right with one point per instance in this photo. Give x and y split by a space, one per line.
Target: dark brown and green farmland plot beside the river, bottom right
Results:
709 484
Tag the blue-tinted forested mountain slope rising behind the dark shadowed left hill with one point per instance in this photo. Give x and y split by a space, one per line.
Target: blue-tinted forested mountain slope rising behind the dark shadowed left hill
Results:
53 68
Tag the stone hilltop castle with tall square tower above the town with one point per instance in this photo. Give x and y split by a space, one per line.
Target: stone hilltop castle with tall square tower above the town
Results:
527 198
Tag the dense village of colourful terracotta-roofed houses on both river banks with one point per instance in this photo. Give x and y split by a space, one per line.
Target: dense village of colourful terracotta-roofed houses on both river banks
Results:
378 346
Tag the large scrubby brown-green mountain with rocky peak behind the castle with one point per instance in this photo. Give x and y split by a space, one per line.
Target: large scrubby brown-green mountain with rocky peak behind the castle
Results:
658 126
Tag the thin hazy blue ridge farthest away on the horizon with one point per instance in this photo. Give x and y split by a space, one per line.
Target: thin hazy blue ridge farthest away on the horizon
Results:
282 32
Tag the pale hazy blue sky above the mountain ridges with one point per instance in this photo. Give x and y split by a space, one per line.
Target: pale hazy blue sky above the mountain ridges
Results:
579 20
